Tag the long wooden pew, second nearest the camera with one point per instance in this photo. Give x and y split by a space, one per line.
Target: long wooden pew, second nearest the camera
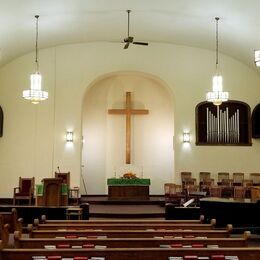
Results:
21 242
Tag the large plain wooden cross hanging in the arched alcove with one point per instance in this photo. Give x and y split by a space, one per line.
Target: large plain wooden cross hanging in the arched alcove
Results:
128 111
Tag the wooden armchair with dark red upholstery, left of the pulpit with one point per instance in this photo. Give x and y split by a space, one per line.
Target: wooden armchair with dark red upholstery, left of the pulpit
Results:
25 190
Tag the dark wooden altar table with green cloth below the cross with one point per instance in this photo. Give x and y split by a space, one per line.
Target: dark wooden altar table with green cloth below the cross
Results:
128 189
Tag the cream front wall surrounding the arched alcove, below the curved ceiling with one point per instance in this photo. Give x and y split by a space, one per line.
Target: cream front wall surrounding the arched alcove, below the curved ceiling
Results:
33 142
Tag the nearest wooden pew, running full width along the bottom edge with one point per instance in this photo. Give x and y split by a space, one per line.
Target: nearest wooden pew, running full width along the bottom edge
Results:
243 253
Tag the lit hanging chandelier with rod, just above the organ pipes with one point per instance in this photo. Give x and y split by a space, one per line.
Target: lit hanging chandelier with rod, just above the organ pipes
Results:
217 96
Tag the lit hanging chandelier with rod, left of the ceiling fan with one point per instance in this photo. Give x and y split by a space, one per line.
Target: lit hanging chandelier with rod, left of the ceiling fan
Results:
35 94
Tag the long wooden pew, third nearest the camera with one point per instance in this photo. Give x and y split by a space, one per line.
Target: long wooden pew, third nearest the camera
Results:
128 233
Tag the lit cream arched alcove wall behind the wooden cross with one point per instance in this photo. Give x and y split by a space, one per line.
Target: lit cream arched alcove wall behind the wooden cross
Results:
103 152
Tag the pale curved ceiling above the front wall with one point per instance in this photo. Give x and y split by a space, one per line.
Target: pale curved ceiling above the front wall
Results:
185 22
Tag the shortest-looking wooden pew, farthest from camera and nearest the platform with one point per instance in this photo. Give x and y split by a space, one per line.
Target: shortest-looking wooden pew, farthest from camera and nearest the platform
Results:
121 221
